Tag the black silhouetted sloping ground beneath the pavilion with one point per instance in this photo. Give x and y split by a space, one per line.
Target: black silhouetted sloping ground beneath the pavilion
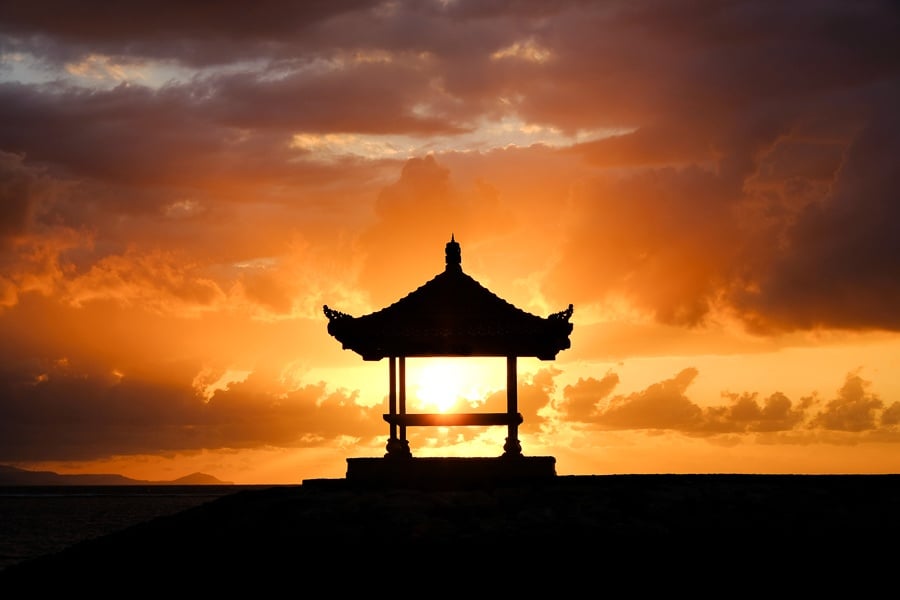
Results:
723 535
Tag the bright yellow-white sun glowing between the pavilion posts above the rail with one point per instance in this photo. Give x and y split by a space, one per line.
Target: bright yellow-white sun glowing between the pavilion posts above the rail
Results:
447 384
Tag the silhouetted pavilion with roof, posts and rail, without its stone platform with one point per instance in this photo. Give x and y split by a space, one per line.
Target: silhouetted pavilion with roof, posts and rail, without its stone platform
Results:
451 315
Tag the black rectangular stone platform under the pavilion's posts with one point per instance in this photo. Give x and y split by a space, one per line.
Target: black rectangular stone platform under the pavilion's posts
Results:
449 472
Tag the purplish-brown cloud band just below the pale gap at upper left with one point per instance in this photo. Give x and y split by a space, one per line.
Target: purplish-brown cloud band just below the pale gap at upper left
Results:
197 133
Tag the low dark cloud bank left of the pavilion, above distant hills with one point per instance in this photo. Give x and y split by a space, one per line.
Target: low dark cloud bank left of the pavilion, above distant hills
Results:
64 410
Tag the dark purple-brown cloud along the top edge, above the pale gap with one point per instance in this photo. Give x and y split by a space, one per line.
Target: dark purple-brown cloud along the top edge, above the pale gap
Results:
271 29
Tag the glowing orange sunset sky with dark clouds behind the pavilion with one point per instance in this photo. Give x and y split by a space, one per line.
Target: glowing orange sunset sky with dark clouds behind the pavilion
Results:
714 186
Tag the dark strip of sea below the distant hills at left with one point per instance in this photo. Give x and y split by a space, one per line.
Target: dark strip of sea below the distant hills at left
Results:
38 520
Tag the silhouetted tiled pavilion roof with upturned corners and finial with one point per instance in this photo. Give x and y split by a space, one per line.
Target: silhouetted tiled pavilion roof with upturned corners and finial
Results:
451 315
